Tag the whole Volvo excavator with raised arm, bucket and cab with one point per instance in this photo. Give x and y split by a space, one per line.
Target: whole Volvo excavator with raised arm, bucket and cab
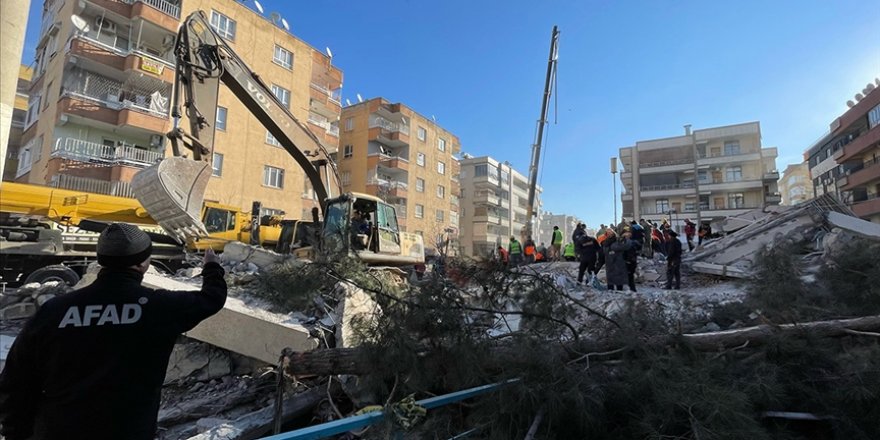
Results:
172 191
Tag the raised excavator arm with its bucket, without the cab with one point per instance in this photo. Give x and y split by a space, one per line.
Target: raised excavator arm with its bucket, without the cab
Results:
172 191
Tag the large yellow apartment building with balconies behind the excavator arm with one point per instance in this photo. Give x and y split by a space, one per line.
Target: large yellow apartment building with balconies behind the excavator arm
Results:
99 100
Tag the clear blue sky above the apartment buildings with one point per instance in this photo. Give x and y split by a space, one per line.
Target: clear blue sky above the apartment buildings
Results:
628 71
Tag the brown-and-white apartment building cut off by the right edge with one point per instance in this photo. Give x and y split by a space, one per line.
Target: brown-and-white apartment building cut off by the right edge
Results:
845 160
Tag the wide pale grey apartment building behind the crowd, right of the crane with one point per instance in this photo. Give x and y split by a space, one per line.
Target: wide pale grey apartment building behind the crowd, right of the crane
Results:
734 174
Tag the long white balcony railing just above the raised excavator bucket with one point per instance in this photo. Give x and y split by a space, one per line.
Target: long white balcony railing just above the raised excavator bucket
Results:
84 151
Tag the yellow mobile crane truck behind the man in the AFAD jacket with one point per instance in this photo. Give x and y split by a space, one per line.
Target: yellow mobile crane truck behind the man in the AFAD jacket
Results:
42 226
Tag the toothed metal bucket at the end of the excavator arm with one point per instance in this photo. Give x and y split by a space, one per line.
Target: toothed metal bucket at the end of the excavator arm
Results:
173 191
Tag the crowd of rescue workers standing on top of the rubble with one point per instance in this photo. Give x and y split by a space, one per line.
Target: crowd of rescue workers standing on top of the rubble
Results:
616 248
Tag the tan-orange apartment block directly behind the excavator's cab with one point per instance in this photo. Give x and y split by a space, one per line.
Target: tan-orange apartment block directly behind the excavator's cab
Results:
391 151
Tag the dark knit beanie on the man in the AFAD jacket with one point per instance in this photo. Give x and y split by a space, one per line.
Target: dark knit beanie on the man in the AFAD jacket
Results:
122 245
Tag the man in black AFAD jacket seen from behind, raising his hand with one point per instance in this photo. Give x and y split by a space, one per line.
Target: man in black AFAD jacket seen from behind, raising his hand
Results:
90 364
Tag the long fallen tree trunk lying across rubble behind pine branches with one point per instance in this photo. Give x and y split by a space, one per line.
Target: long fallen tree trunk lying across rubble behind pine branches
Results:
344 360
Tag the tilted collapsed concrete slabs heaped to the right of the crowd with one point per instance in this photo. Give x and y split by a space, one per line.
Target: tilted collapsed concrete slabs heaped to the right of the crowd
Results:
809 225
